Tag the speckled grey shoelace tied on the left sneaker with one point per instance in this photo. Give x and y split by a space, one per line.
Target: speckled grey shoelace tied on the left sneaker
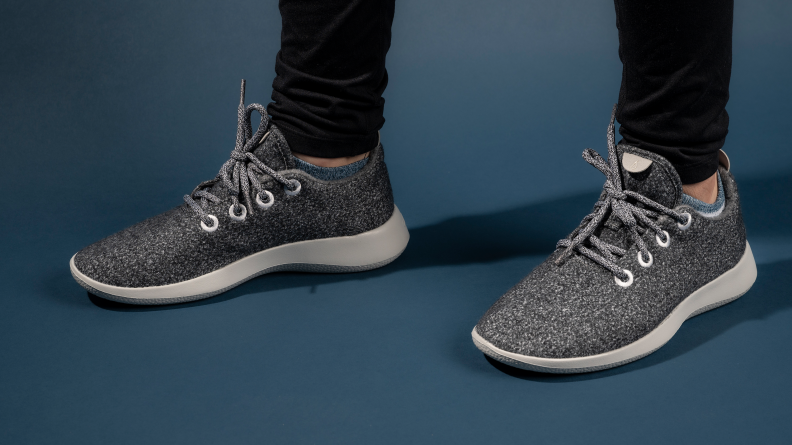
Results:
240 173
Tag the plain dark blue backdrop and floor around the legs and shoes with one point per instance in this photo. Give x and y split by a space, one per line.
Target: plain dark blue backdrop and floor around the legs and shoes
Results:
111 111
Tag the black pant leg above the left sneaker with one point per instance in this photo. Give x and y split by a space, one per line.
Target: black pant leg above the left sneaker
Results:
331 75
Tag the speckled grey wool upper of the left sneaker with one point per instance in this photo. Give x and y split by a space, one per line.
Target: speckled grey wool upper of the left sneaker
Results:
172 247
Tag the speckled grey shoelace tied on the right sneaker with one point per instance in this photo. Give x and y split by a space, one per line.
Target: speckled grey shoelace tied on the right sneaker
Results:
614 199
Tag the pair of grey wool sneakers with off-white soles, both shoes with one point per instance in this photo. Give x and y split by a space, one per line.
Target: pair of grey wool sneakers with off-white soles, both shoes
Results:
615 290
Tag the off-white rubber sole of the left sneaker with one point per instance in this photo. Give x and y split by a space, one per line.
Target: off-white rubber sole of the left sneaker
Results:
368 250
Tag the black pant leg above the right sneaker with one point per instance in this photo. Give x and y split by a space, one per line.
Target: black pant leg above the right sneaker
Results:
677 57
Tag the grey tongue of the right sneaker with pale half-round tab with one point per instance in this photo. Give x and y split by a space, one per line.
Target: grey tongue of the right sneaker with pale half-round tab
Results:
649 174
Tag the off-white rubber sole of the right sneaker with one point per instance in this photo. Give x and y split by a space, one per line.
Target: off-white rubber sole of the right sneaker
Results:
724 289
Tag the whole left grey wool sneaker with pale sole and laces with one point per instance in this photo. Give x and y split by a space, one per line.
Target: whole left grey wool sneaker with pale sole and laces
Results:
259 215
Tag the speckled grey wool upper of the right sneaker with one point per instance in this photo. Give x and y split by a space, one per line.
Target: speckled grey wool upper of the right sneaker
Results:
576 309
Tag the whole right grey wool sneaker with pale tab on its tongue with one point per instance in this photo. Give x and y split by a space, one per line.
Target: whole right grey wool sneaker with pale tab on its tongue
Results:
620 286
